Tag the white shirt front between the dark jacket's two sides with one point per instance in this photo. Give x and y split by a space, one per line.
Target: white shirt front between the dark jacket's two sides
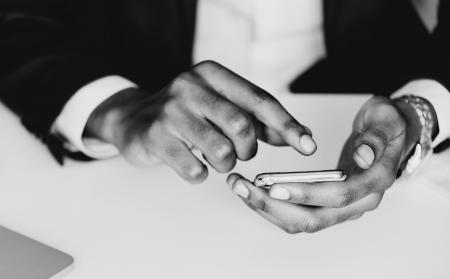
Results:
267 41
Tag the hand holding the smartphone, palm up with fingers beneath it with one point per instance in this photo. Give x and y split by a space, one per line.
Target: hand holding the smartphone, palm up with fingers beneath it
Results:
383 133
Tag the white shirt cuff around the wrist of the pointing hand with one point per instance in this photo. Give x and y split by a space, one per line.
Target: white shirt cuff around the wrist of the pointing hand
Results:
72 120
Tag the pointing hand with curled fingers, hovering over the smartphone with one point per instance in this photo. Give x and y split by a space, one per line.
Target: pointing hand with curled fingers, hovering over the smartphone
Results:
209 108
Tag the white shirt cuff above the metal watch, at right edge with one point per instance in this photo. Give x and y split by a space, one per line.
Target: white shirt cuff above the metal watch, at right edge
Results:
438 96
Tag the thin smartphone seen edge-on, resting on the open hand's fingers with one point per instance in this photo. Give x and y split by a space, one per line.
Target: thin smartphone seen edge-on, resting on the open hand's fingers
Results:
268 179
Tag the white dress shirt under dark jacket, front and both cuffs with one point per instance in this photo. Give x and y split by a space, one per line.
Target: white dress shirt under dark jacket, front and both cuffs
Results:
269 42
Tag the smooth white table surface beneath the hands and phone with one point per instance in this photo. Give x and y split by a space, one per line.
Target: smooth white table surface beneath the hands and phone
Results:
122 222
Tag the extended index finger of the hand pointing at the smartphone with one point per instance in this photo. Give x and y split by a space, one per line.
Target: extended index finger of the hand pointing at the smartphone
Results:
259 103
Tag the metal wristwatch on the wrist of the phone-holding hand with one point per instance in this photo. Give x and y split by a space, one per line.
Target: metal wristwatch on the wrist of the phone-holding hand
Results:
424 147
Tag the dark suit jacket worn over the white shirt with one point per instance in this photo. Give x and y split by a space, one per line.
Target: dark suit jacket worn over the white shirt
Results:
50 48
